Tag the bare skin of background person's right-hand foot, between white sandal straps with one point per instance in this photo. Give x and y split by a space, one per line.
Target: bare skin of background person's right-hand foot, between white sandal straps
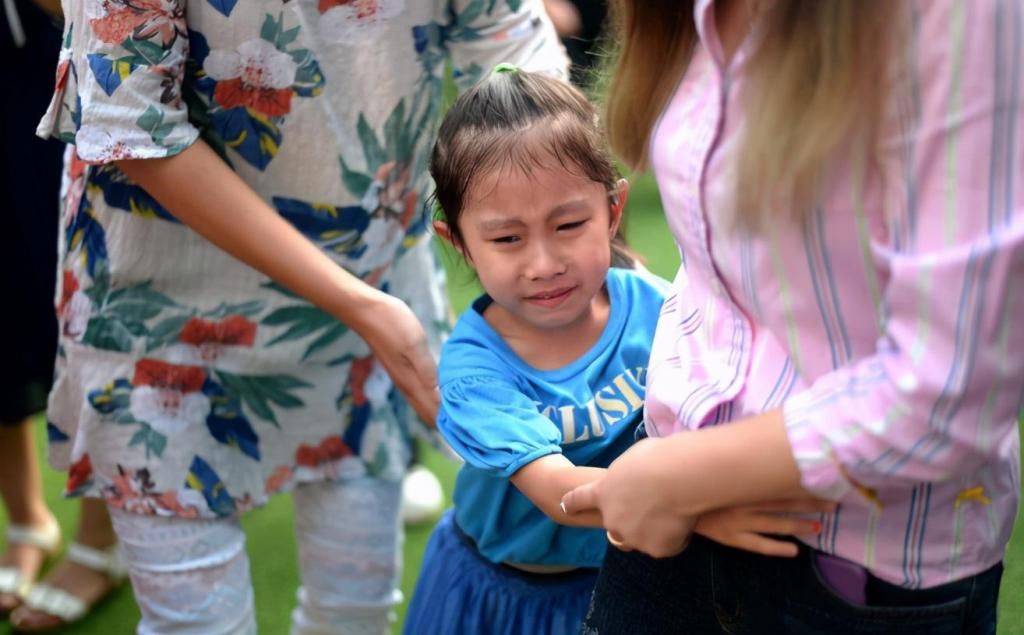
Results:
94 531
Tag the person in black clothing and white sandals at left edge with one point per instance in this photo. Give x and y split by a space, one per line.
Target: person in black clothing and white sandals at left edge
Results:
30 185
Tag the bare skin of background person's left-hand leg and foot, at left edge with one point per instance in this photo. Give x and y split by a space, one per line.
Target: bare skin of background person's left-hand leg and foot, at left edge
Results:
22 489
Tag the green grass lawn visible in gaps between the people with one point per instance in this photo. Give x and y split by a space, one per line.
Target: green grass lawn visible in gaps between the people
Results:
272 546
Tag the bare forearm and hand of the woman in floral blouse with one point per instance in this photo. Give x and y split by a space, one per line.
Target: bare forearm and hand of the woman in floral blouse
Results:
202 192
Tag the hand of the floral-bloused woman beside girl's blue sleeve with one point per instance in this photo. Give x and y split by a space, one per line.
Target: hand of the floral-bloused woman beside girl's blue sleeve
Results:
400 344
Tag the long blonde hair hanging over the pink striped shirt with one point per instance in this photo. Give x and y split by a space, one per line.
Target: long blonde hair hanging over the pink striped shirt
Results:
819 77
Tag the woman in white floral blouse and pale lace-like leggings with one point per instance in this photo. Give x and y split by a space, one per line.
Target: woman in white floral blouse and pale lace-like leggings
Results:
228 158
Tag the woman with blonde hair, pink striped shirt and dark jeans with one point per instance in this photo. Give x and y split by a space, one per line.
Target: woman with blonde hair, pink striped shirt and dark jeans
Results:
845 182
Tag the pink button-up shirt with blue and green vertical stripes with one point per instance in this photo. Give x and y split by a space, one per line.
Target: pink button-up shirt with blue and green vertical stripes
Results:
889 328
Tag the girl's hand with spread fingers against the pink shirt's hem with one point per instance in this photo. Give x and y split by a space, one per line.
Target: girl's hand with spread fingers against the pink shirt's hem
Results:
748 527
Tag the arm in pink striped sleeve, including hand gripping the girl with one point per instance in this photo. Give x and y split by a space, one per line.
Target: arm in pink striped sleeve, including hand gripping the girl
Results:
941 397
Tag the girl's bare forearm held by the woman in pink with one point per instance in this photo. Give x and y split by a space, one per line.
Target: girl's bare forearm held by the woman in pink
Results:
547 480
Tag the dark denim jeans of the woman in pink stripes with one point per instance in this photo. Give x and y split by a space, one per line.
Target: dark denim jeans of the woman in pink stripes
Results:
714 589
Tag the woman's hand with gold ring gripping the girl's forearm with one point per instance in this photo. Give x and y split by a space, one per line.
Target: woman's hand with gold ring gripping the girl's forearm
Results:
635 499
